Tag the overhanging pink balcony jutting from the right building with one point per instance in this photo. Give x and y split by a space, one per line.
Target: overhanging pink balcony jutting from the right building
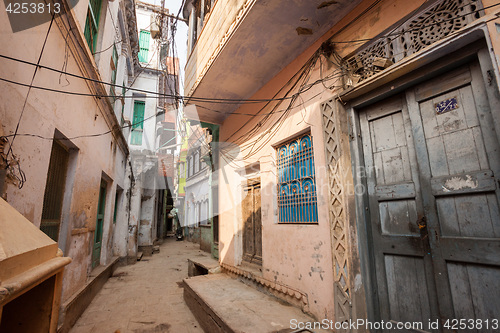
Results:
239 45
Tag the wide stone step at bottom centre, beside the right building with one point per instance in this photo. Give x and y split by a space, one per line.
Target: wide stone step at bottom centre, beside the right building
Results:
222 304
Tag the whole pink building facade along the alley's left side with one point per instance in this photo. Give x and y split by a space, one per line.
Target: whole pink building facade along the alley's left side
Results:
65 152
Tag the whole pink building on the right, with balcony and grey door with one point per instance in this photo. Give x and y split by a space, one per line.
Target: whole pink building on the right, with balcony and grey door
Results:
361 179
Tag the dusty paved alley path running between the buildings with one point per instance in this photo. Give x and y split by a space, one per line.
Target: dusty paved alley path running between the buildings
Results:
145 297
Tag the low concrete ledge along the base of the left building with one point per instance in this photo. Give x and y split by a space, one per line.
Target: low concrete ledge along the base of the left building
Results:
72 309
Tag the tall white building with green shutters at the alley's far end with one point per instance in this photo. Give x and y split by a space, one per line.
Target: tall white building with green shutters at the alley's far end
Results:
152 137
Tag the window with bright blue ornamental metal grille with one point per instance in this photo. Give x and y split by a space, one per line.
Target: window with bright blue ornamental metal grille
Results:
297 202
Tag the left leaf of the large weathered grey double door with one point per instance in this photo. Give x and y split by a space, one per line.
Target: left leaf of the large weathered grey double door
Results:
403 269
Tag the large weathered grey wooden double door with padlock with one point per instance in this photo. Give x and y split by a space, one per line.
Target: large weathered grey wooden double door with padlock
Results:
432 161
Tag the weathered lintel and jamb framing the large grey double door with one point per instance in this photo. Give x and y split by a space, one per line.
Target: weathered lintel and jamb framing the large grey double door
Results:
447 54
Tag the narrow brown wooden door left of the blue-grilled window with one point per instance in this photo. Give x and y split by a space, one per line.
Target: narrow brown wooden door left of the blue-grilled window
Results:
252 222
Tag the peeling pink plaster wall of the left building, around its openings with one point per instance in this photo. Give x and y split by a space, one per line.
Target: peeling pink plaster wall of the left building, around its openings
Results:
73 116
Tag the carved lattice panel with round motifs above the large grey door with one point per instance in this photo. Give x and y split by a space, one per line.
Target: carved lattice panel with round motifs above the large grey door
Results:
428 26
